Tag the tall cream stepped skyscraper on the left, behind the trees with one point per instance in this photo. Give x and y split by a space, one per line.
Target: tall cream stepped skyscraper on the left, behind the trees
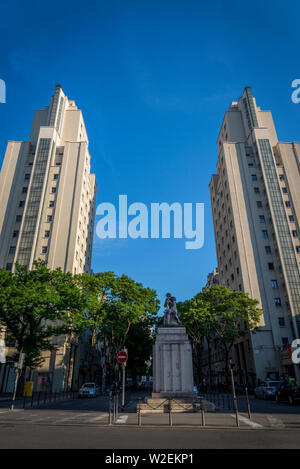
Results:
47 208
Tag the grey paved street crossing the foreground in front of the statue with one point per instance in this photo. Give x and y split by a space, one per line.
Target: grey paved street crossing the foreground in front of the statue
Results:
83 423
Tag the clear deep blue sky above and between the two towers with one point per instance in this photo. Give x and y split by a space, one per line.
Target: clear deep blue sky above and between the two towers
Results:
153 80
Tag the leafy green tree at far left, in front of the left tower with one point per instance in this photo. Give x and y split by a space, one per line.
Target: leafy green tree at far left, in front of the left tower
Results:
37 305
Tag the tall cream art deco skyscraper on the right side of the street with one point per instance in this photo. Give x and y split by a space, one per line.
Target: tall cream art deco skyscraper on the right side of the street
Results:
255 198
